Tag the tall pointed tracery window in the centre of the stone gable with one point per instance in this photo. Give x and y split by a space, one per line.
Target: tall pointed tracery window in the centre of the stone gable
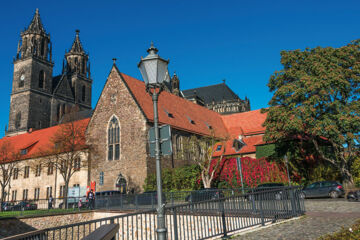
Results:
114 140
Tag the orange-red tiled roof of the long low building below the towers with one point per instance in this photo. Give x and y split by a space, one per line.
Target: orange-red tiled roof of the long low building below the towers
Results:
37 142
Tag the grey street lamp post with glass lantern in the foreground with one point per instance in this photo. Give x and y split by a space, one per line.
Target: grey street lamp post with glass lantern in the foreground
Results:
154 72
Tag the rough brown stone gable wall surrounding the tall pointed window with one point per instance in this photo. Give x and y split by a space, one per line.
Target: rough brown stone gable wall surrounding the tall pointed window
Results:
117 101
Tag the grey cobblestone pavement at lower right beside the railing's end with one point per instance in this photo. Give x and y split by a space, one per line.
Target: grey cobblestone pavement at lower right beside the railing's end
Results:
323 216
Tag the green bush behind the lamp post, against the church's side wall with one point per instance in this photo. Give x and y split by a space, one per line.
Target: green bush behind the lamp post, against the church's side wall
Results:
176 179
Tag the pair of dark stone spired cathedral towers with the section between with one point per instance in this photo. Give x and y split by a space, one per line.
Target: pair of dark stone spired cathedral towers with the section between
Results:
39 99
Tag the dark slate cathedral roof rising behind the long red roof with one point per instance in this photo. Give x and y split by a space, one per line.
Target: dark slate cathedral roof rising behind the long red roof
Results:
217 93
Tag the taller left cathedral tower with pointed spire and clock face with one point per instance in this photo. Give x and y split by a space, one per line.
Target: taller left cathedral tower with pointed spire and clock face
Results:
32 80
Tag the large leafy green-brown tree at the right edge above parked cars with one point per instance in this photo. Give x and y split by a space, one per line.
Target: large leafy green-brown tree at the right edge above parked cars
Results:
316 100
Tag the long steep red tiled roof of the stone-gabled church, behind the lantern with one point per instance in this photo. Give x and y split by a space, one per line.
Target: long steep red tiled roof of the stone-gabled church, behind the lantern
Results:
182 110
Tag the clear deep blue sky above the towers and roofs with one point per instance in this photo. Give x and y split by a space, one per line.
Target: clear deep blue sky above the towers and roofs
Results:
206 41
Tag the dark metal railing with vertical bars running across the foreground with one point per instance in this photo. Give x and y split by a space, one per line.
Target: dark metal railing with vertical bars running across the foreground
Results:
199 220
